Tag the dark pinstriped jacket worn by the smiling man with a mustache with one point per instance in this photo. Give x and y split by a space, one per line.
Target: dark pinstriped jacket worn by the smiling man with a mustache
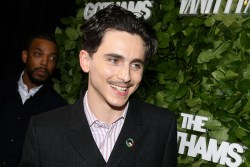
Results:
62 138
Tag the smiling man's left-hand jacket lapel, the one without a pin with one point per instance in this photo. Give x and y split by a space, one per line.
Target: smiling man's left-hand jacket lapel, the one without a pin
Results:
80 137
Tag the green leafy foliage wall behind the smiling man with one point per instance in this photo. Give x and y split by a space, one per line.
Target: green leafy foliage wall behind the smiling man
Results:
202 67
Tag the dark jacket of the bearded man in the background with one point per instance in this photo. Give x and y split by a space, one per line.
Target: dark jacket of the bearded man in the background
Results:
15 116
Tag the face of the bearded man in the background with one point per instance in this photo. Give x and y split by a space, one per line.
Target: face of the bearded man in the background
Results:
40 60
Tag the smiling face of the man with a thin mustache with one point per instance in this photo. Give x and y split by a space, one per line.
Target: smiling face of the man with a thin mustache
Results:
115 70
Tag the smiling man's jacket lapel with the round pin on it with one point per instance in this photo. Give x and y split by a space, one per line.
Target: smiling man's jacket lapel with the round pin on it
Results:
134 129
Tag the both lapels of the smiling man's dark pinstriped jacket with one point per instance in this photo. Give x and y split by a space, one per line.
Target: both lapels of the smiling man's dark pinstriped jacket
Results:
80 137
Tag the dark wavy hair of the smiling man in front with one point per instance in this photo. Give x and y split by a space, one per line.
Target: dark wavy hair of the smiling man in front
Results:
118 18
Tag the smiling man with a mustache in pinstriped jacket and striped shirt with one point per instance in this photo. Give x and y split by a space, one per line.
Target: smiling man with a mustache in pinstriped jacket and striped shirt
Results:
106 127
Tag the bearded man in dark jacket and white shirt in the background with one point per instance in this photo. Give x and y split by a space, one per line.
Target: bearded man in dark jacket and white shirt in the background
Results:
26 95
